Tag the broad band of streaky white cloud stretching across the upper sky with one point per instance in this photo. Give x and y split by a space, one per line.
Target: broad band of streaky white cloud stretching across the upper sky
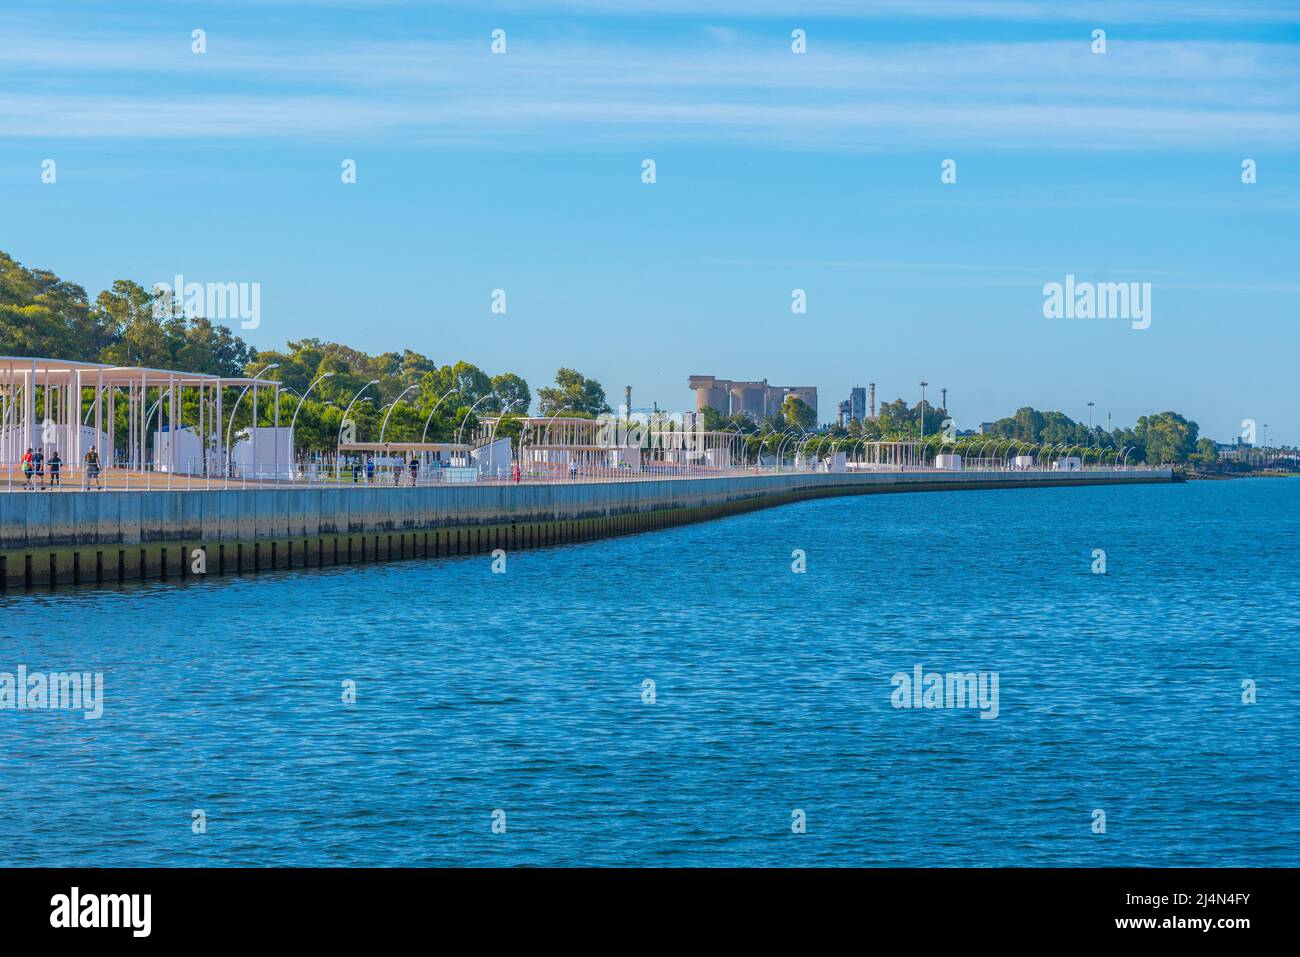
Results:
1047 96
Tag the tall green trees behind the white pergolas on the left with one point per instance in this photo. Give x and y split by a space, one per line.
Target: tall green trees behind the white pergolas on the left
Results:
42 315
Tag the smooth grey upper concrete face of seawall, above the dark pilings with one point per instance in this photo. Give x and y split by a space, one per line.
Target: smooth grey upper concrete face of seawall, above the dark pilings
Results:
42 521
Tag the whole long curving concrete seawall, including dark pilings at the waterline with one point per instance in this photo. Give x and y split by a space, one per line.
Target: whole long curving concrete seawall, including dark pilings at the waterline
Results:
98 538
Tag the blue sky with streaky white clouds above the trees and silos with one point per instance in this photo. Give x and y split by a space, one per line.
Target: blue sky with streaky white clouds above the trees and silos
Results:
775 172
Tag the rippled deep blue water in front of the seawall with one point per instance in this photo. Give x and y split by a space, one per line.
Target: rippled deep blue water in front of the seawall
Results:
523 692
